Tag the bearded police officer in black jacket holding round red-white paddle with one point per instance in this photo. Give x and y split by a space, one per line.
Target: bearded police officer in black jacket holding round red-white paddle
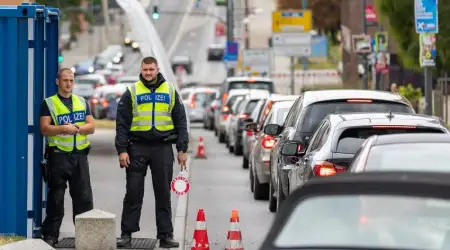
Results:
150 118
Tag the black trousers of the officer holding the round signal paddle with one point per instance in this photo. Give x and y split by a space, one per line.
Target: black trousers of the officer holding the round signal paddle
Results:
160 158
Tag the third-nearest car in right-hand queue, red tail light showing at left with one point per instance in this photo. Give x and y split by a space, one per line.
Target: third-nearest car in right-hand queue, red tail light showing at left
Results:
338 137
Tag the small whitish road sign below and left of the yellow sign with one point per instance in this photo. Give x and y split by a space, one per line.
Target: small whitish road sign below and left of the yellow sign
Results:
257 62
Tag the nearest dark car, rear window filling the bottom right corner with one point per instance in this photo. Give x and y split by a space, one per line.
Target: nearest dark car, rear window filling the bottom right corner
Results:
362 211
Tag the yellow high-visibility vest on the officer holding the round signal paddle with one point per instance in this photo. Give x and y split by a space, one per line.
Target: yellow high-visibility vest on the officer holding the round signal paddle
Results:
152 109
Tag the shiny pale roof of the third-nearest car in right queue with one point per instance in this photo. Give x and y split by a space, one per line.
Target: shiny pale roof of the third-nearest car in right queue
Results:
371 119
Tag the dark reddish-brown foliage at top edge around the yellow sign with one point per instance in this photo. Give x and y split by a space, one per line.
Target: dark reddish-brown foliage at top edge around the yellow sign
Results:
326 13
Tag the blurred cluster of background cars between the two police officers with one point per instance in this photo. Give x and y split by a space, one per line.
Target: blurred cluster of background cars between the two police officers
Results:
102 81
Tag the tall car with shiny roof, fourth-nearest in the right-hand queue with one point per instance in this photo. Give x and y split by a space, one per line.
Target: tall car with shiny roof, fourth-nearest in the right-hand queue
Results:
310 109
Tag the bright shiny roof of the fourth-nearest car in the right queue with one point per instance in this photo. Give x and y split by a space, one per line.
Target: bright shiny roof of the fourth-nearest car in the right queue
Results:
310 97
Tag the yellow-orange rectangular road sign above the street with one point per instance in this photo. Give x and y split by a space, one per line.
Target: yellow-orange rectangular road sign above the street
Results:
291 21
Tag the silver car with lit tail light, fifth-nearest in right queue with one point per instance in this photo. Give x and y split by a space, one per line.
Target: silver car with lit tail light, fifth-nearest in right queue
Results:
260 154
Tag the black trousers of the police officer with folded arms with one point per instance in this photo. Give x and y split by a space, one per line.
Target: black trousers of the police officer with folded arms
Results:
74 169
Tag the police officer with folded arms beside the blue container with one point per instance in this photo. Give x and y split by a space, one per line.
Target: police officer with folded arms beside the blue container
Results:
66 121
